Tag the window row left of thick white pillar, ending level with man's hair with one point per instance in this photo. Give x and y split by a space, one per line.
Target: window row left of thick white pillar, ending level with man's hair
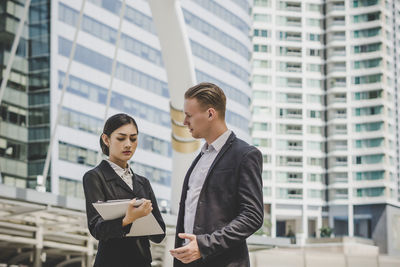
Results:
102 63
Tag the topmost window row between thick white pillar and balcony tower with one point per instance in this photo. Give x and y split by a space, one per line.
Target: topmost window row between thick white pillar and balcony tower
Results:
225 15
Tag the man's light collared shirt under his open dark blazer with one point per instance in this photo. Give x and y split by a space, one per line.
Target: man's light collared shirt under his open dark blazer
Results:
198 176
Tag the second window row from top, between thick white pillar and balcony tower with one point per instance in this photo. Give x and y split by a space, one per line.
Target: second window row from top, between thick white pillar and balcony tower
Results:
219 61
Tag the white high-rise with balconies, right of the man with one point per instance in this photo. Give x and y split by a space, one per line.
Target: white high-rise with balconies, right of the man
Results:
325 82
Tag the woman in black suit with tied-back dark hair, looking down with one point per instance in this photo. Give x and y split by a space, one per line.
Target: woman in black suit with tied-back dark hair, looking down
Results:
113 179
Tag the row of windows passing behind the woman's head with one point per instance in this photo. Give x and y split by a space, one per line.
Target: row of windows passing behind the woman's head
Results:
81 121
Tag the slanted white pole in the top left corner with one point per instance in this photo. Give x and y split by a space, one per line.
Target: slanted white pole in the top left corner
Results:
6 74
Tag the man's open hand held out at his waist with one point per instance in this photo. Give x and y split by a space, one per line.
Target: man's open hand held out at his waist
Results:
188 253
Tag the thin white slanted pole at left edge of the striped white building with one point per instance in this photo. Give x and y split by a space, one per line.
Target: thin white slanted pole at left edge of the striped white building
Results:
65 83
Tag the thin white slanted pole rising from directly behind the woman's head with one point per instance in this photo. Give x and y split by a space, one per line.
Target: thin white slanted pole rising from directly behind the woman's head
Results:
114 66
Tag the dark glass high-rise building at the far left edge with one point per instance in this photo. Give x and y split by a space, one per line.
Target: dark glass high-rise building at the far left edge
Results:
25 117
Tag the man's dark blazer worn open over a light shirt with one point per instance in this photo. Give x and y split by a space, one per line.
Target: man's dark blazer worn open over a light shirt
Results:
230 206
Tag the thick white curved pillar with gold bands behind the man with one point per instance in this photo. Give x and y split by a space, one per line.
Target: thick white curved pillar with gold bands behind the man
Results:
178 62
